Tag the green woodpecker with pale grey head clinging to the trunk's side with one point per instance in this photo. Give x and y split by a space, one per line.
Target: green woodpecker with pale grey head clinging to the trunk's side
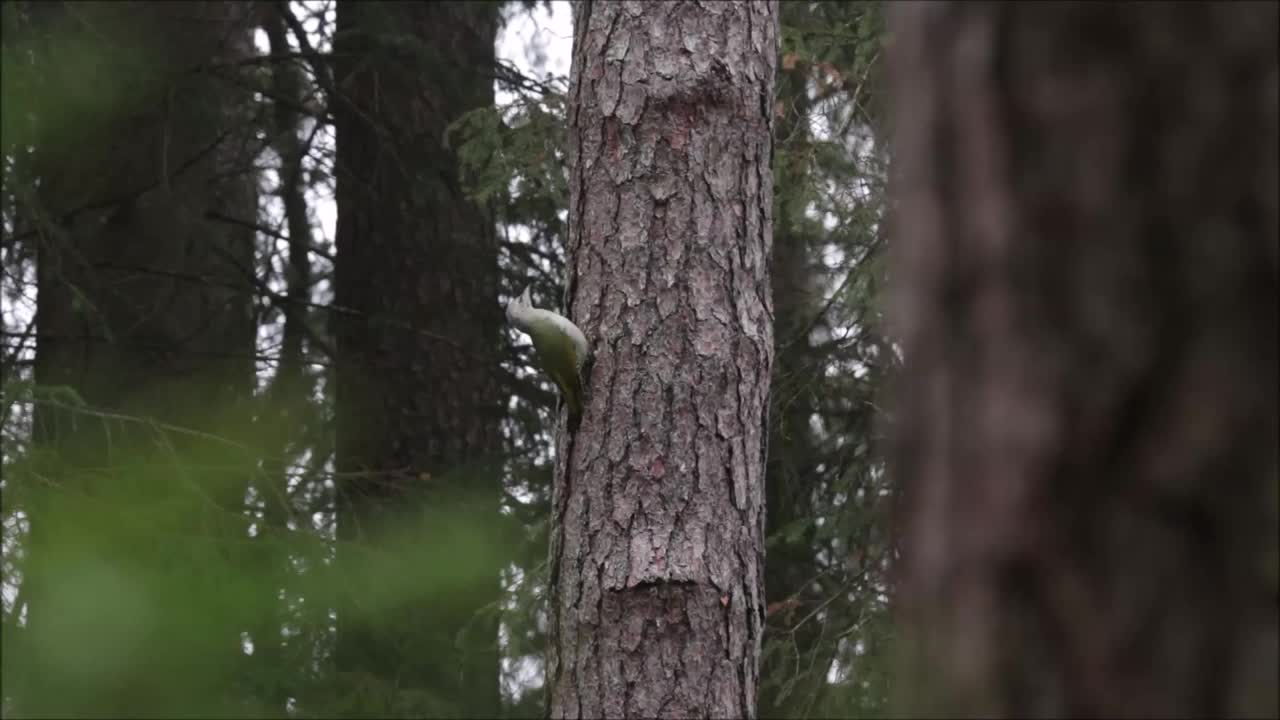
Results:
563 349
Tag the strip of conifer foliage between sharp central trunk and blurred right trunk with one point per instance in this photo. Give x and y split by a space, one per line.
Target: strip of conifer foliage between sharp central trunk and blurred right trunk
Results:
829 630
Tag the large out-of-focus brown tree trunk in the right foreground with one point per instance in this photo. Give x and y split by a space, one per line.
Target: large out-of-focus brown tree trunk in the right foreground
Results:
1087 258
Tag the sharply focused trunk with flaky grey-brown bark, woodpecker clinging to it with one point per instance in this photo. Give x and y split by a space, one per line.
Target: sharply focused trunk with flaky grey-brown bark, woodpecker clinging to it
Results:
657 549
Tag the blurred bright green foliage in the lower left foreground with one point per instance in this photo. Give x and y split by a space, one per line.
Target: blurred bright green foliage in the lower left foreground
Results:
145 568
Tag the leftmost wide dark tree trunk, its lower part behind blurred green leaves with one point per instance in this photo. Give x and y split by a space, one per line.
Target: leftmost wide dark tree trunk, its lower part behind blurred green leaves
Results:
145 312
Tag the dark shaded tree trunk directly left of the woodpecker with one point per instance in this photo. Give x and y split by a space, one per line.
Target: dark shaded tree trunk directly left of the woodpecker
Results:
419 352
